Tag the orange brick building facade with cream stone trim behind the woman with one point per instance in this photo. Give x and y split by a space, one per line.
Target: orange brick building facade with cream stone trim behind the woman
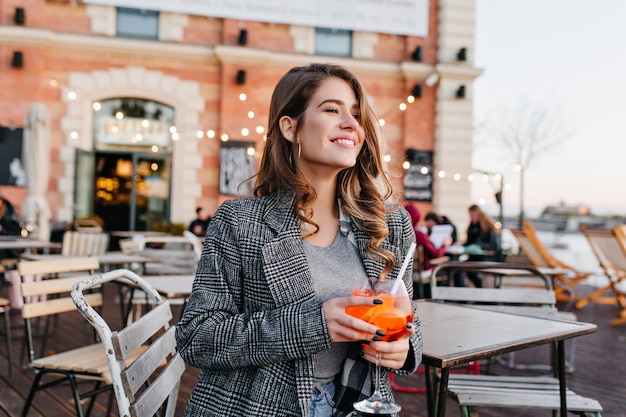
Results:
72 58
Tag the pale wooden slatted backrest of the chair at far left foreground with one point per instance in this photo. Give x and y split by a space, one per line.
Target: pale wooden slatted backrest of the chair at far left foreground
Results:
46 289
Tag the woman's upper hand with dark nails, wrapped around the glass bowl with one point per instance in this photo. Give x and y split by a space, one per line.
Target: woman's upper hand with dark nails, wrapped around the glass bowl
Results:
341 326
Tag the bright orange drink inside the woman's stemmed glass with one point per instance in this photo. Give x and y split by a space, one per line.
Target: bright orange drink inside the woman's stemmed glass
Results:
391 316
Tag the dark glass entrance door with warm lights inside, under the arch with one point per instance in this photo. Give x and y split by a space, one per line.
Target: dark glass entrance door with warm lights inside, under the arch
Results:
132 190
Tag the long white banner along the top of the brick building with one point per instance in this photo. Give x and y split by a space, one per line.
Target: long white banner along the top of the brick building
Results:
399 17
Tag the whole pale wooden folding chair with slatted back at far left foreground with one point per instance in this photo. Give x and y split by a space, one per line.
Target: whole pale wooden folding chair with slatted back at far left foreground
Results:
48 297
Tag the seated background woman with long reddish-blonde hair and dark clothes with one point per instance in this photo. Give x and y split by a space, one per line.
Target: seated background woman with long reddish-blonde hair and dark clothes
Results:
481 232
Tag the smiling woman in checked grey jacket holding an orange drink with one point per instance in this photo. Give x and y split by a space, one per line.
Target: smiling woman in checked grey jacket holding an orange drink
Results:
266 319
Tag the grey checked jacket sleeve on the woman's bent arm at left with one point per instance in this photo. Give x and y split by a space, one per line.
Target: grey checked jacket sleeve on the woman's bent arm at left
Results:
221 329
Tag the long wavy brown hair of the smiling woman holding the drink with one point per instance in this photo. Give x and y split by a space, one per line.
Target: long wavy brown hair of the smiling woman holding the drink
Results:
362 189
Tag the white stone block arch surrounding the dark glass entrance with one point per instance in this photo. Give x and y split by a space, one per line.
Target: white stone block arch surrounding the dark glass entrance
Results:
86 87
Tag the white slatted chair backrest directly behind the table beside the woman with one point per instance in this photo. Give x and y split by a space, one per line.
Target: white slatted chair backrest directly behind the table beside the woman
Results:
513 299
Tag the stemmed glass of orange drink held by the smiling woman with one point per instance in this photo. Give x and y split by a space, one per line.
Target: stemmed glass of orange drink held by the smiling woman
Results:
391 317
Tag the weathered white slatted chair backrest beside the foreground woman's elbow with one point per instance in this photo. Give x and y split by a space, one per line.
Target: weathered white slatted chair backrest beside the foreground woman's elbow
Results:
143 385
